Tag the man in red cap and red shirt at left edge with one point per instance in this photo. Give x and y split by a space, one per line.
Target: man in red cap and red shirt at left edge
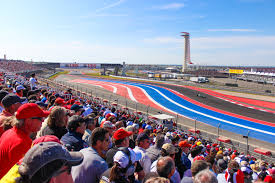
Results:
15 142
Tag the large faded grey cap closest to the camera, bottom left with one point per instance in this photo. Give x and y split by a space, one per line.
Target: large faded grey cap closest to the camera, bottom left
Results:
45 152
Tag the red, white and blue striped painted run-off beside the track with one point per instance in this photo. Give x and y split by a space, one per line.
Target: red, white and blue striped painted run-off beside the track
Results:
172 101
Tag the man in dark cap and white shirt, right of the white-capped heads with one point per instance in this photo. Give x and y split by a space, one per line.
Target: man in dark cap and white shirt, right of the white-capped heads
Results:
143 143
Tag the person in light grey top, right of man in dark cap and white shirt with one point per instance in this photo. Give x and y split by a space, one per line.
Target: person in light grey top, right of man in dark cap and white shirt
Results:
153 152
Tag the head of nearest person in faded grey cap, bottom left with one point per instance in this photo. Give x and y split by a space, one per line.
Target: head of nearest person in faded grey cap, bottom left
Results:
45 160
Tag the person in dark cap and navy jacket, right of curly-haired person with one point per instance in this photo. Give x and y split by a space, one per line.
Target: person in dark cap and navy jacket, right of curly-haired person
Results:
73 138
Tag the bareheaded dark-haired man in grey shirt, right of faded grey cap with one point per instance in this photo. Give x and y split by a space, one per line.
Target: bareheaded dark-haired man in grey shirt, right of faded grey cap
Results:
93 165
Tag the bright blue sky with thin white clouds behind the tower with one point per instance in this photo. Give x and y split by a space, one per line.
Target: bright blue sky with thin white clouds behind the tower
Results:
222 32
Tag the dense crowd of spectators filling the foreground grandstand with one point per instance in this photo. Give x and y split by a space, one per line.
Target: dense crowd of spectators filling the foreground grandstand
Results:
58 137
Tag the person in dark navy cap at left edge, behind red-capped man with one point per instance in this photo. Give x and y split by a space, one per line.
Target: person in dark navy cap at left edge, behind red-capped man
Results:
11 103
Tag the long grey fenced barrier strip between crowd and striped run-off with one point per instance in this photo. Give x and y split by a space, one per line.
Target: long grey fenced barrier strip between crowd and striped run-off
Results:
207 132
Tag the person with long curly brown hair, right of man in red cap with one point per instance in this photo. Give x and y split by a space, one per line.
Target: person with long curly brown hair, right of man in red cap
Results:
56 123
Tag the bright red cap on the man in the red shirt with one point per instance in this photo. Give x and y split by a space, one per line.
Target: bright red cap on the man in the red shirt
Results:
30 110
